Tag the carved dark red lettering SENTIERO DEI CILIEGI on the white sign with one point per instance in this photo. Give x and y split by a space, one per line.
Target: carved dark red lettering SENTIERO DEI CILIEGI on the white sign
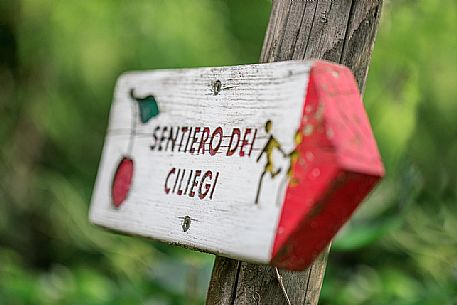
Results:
200 183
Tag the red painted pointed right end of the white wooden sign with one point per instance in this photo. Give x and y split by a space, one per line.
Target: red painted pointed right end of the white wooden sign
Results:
338 167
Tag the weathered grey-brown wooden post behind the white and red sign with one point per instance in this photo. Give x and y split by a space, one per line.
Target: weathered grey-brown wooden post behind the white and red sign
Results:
341 31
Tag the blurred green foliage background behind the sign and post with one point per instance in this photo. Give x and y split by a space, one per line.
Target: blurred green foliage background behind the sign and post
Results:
58 64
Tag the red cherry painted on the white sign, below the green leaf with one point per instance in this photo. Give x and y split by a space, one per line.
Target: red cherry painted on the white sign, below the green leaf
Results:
122 181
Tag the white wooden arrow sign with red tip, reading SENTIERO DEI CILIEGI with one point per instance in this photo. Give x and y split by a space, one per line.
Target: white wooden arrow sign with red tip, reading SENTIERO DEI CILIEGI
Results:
262 163
